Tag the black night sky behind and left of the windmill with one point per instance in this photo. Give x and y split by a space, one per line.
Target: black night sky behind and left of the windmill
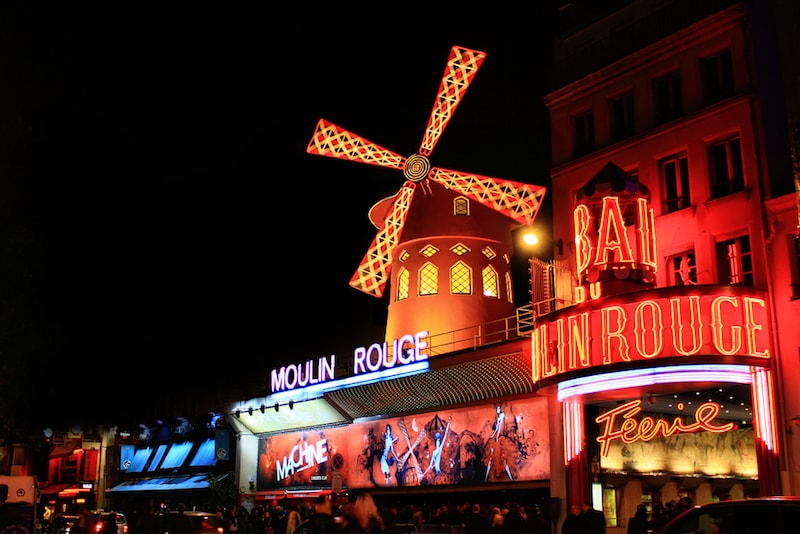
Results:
162 220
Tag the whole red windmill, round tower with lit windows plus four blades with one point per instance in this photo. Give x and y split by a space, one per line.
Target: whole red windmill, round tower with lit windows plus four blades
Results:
445 237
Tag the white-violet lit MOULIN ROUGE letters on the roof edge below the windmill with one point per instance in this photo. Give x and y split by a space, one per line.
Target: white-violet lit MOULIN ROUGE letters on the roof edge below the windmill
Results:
377 357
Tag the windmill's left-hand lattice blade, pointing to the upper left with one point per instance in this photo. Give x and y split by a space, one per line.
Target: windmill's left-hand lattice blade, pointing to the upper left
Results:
335 142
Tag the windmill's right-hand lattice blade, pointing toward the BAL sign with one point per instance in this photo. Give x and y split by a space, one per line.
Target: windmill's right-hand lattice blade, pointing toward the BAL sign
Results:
516 200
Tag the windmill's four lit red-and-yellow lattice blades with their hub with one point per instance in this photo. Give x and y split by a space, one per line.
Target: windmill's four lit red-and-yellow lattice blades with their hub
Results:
515 200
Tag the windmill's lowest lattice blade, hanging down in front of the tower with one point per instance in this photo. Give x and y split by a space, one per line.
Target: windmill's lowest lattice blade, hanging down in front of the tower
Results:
373 271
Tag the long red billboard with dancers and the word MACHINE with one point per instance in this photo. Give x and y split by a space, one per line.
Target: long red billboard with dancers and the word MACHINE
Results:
475 445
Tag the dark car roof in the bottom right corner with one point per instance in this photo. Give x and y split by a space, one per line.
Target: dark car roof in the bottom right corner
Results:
773 515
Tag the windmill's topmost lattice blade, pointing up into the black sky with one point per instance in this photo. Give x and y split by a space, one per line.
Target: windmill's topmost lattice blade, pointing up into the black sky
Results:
461 68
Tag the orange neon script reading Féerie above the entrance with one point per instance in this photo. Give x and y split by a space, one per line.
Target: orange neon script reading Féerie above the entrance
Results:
620 424
